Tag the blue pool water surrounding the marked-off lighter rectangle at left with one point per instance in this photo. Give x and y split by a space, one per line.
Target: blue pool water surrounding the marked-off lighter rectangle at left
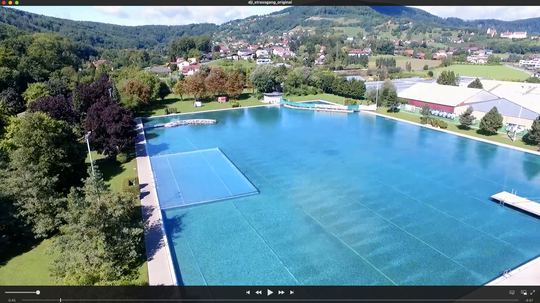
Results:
349 199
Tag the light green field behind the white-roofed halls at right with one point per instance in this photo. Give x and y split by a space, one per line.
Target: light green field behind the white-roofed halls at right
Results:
497 72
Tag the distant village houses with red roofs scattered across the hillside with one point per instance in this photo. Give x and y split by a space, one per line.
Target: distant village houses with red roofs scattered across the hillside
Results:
278 47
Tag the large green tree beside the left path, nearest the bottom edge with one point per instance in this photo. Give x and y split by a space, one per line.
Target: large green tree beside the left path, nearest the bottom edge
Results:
108 252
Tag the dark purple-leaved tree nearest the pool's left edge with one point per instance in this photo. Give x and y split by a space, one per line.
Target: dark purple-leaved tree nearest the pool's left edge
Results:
111 126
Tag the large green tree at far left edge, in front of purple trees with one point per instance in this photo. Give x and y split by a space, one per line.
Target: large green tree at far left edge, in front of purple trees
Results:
46 160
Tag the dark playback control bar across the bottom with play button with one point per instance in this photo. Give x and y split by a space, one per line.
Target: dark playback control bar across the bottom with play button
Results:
465 294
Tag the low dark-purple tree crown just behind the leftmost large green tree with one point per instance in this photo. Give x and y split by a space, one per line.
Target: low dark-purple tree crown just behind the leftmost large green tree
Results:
58 108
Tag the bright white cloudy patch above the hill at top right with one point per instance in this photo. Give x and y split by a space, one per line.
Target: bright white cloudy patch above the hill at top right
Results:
506 13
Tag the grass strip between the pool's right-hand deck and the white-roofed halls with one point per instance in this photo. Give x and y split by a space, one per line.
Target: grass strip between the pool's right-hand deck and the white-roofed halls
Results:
500 138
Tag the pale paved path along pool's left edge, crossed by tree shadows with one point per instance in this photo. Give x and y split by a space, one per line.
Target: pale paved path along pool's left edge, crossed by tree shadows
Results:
160 266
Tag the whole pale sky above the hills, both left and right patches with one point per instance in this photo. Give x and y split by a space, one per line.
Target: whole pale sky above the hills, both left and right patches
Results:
178 15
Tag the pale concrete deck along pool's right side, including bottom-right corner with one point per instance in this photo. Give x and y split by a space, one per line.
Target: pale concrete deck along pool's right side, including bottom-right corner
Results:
526 274
